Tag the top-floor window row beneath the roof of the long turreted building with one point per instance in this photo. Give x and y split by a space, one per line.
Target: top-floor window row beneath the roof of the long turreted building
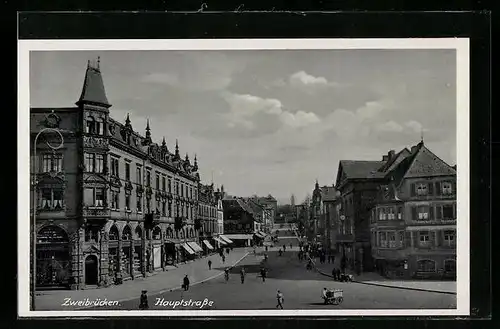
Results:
94 162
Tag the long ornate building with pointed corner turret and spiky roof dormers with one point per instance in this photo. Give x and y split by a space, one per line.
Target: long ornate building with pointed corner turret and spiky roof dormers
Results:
111 204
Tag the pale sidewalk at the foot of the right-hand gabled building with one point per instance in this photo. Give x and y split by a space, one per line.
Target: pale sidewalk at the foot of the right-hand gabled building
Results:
371 278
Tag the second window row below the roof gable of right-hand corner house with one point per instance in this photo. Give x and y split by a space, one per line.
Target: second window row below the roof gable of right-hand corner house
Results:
423 212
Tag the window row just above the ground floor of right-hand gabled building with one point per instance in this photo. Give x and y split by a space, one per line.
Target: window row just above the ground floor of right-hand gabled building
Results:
393 239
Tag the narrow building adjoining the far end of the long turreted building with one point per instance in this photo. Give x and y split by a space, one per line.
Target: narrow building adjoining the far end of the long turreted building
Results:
207 221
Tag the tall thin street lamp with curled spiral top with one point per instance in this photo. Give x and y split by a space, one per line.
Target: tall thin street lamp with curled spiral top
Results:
35 182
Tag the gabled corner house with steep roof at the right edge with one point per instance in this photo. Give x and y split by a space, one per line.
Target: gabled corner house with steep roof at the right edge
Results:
413 224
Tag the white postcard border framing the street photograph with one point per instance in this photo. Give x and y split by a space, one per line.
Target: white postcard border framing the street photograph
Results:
462 93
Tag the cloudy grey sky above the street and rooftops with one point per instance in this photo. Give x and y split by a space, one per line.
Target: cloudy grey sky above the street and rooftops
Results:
269 122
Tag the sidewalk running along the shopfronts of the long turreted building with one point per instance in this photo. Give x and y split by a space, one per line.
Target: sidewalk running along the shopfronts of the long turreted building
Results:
170 280
